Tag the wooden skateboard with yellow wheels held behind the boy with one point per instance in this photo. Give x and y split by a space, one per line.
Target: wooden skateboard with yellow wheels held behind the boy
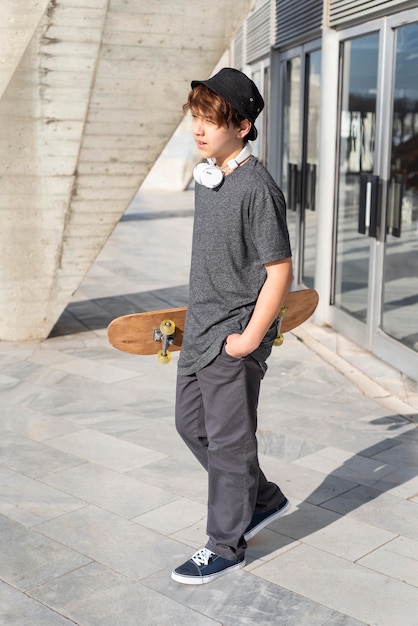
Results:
161 332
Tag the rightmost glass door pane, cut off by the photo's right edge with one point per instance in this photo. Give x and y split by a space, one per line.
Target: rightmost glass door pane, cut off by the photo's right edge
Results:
400 280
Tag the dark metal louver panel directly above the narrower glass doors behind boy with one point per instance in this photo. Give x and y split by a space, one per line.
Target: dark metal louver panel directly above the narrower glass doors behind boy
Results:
297 20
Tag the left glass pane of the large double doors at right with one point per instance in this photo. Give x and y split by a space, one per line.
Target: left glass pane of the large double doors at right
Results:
358 93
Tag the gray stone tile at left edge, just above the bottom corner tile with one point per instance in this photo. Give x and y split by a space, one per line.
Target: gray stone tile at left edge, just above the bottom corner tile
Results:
29 559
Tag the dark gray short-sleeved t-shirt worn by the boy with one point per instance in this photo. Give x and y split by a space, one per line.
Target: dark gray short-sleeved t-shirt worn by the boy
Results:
238 227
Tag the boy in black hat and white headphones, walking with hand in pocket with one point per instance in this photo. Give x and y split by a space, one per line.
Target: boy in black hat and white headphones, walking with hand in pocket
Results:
241 270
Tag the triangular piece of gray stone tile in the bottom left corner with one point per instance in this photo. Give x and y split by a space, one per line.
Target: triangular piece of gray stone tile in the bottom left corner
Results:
16 609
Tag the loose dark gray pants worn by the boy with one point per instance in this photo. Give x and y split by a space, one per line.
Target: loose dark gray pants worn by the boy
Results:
216 415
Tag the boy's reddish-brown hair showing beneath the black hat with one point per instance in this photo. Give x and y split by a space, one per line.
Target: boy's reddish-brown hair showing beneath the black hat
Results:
205 102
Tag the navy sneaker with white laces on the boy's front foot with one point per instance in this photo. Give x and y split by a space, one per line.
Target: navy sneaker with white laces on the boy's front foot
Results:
203 567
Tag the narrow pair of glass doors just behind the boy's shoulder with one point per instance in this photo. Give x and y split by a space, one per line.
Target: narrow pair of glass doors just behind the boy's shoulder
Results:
301 82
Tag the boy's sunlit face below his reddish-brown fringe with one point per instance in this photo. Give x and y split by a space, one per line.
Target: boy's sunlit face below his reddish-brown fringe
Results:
218 142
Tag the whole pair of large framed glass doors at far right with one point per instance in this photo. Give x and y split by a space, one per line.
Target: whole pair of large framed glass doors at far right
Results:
375 267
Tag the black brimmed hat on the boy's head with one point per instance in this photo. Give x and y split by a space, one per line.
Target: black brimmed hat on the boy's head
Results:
239 91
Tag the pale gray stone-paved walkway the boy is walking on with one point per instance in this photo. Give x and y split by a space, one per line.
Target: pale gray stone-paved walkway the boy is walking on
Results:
99 498
